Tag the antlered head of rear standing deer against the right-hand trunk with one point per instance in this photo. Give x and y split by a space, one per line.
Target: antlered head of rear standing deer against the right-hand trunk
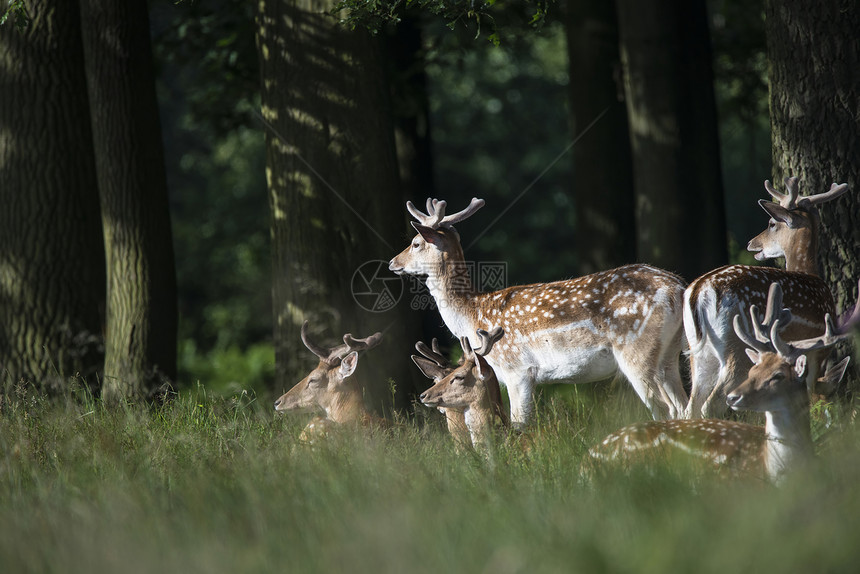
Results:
793 228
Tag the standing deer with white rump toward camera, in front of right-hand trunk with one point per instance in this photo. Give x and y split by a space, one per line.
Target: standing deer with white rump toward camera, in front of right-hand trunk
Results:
717 359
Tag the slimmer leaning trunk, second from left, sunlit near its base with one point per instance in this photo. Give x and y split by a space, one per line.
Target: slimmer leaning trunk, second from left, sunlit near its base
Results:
140 342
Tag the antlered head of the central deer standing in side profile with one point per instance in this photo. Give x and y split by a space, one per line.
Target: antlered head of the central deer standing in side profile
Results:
436 247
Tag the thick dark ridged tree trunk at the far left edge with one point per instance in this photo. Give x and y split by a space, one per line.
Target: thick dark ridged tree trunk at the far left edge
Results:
51 254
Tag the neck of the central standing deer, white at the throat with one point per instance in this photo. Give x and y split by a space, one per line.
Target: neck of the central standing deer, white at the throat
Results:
452 289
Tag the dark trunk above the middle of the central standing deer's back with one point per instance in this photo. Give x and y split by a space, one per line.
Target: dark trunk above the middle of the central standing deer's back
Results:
603 188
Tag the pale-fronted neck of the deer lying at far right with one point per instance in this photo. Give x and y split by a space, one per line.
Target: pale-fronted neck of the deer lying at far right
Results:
789 440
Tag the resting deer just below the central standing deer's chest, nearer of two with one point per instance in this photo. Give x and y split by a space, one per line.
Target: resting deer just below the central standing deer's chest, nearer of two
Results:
472 389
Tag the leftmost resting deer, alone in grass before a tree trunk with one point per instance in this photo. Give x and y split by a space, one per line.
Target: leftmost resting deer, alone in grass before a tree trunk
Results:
331 387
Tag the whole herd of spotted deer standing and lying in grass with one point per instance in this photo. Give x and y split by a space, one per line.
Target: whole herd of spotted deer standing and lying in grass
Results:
635 322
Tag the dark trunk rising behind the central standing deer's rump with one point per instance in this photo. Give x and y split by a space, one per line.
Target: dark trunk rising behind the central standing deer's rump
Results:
668 81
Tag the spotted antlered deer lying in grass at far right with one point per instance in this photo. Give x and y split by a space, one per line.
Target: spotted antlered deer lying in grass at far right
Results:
775 386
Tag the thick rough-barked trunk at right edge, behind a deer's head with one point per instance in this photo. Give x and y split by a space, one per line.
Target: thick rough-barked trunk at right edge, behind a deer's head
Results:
814 58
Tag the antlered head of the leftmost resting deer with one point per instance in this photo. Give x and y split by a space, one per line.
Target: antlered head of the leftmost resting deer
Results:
328 386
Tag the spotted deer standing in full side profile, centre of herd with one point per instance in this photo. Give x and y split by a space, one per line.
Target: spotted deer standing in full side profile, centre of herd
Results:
626 321
